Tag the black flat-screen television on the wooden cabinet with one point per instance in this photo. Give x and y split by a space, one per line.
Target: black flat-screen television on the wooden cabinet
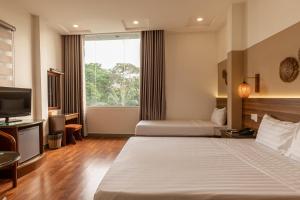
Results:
14 102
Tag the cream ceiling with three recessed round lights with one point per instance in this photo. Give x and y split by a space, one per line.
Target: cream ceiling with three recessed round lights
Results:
104 16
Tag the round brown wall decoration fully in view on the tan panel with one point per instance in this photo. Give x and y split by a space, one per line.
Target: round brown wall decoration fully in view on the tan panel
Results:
289 69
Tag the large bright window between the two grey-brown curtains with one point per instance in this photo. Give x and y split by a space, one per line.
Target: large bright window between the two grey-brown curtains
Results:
112 69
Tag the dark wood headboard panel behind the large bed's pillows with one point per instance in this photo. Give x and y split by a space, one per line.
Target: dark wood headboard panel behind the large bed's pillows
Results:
286 109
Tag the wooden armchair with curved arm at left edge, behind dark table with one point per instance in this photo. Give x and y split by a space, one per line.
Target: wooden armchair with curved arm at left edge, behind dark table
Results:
12 147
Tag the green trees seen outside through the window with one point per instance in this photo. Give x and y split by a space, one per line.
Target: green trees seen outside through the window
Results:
118 86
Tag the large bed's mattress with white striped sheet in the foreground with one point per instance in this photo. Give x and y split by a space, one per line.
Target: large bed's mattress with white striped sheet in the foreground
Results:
185 168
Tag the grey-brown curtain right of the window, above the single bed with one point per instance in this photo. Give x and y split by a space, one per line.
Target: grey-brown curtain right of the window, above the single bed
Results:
152 91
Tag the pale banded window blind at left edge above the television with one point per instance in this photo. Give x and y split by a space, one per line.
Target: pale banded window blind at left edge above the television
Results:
6 54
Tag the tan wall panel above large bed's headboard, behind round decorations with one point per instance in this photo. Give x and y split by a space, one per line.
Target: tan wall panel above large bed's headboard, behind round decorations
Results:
265 57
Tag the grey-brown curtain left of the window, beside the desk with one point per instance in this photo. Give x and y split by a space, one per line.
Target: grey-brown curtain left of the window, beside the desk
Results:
73 84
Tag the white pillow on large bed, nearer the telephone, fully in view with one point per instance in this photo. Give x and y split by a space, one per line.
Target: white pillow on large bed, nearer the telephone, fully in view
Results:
276 134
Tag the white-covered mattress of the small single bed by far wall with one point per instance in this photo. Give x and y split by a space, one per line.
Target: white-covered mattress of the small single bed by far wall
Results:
177 128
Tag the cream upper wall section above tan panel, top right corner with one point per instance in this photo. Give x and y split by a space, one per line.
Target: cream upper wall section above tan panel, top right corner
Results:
268 17
